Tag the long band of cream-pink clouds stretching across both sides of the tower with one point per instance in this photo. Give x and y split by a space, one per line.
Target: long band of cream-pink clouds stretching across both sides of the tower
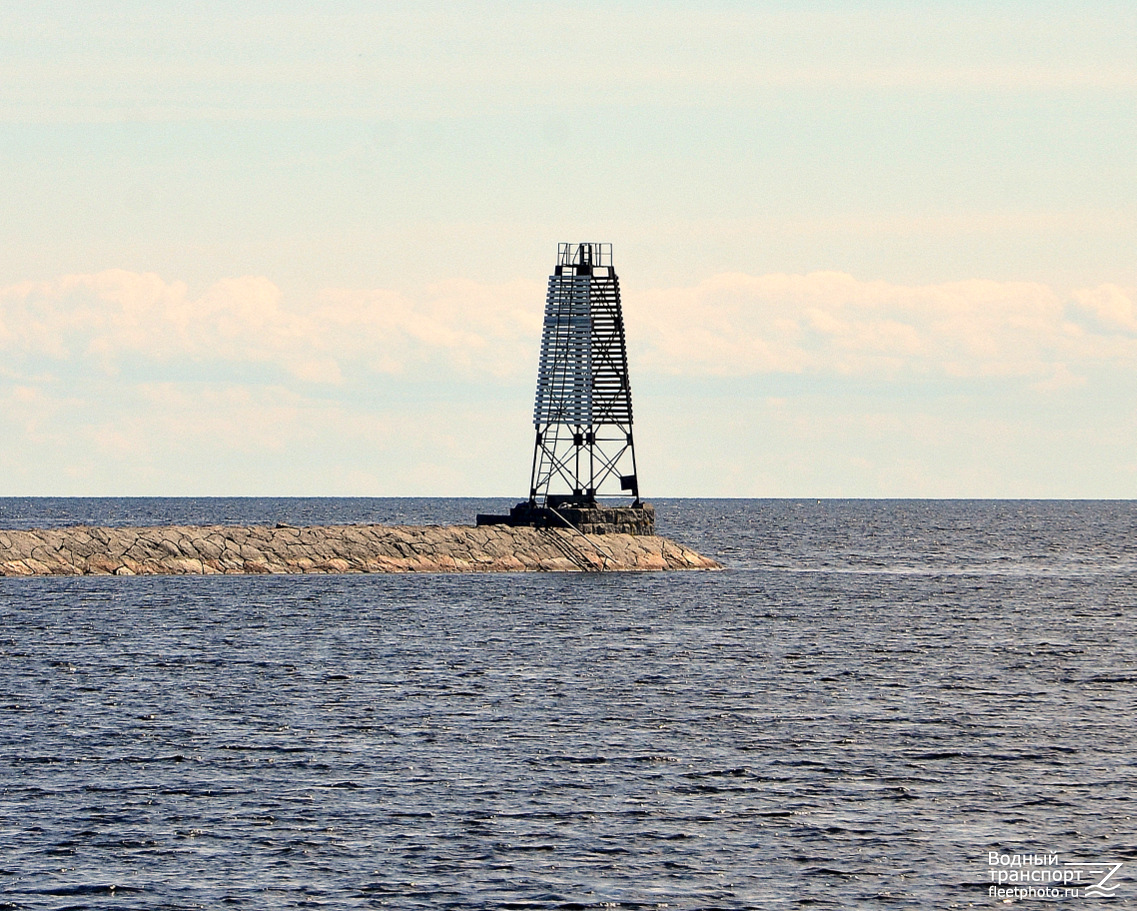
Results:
824 324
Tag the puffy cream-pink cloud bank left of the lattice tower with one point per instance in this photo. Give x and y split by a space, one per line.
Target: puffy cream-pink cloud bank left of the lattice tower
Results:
106 319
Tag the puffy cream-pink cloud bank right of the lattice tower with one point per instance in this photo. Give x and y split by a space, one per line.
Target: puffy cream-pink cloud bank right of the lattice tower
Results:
833 324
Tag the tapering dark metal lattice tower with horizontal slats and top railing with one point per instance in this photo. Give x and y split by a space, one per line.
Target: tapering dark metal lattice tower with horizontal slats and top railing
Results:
584 408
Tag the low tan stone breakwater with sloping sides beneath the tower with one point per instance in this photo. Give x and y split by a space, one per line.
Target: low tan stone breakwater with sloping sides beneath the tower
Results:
169 550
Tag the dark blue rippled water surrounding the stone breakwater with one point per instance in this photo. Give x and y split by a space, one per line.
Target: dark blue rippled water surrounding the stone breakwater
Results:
872 699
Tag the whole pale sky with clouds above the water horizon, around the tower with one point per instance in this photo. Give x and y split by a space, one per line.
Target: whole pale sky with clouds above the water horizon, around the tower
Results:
867 250
